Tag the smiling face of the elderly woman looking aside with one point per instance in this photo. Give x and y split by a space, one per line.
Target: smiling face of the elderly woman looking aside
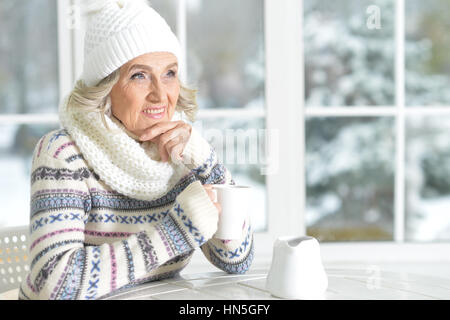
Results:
147 91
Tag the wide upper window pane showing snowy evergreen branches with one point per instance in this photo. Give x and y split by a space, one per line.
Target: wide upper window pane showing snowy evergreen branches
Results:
349 61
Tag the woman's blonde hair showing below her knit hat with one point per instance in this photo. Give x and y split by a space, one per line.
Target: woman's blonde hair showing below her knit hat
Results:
97 99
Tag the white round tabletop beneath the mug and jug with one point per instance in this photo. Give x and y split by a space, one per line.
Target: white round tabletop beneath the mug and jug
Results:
344 283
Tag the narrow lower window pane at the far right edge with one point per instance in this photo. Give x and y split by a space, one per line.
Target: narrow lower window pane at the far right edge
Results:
427 179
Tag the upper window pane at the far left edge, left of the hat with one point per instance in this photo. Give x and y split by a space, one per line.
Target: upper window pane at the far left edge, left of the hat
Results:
28 56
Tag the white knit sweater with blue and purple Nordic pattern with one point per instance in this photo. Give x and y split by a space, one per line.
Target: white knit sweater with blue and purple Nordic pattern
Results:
88 240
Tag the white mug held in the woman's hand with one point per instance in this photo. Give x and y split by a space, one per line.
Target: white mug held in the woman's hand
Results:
235 201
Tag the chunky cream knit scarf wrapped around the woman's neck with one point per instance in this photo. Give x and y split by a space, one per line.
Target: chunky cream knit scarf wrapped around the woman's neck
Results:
124 164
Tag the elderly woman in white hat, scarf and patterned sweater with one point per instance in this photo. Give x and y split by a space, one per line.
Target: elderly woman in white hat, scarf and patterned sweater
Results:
121 194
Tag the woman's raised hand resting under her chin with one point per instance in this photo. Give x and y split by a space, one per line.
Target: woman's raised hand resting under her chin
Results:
171 138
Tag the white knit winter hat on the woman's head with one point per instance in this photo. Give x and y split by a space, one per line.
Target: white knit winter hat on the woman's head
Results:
118 31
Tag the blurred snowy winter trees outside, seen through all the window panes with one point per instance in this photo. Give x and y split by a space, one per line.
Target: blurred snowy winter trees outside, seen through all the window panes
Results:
350 161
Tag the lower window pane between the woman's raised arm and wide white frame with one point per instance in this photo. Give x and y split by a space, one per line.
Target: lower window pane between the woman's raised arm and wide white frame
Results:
240 146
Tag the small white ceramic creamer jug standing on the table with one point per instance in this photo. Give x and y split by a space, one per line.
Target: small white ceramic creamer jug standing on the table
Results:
296 271
